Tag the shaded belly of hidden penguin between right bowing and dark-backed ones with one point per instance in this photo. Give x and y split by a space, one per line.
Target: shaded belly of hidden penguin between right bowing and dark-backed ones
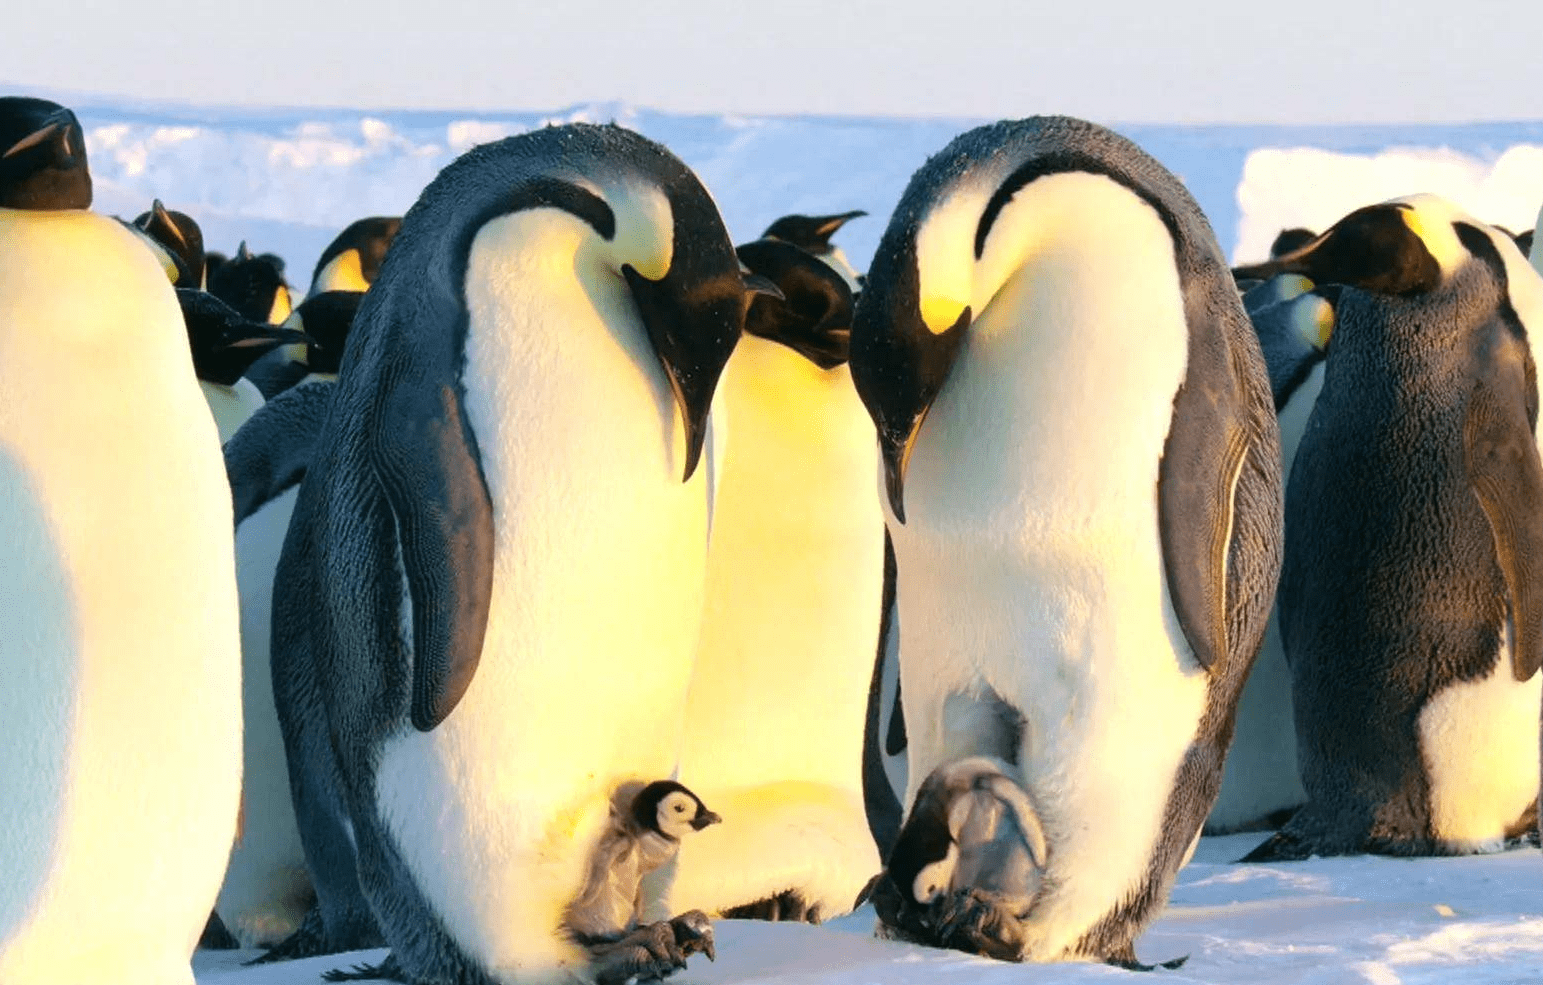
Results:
1261 776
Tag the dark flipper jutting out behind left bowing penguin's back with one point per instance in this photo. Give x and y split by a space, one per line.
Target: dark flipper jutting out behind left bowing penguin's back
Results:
271 452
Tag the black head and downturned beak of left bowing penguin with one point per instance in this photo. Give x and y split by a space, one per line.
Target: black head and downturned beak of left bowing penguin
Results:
694 331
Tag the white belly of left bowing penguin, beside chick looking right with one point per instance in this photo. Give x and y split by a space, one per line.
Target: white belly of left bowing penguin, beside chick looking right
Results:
599 564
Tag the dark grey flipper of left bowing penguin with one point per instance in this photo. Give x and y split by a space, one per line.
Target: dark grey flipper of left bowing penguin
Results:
425 456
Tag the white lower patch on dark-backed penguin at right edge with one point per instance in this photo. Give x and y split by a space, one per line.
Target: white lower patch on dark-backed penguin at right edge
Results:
1477 743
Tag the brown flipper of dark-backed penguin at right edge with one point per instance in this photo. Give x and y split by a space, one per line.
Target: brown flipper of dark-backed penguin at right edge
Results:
1504 467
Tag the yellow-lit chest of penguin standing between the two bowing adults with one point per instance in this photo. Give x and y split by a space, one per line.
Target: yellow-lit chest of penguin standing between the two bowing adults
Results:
795 578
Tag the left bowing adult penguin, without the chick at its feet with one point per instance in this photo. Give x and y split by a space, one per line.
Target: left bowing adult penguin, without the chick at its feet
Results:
491 592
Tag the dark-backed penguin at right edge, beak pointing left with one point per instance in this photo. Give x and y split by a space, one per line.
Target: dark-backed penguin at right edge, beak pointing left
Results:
1416 499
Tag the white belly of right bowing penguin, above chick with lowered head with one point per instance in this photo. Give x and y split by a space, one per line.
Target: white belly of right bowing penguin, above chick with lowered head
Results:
1031 561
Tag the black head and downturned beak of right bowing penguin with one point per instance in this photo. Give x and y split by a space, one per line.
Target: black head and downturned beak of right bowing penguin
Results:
899 367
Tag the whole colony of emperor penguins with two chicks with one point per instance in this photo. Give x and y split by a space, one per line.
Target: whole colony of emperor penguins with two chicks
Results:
976 587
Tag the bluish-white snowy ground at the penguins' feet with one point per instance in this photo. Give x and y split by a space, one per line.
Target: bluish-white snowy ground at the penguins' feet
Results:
1476 919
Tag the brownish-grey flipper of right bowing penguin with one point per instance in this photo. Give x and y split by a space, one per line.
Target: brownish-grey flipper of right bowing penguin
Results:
1220 482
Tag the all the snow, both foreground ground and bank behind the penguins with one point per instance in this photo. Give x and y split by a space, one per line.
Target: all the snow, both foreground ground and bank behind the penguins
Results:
288 181
